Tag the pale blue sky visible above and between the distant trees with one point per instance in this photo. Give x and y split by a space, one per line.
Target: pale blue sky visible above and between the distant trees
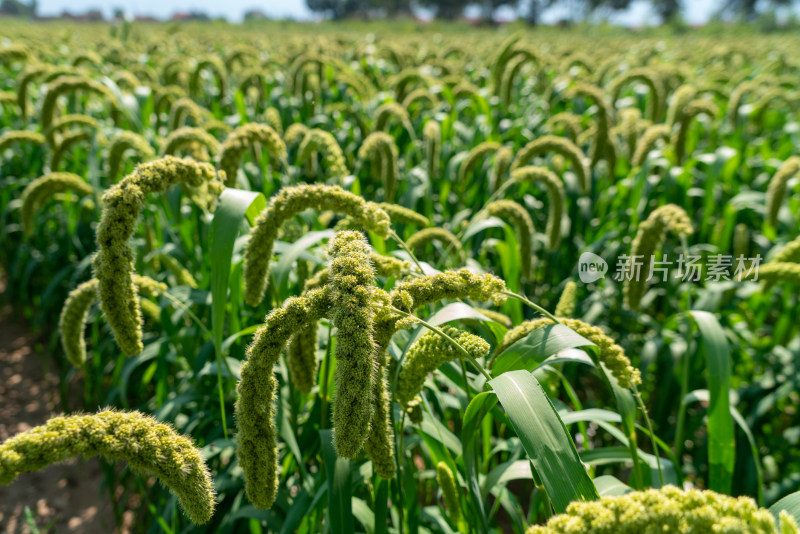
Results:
697 11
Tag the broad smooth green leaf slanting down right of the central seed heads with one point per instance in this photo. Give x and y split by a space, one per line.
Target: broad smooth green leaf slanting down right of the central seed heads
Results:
545 439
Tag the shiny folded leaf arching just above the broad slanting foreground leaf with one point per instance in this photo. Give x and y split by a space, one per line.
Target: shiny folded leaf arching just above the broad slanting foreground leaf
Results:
533 349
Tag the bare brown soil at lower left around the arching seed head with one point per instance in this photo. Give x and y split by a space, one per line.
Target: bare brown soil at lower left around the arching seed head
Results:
67 497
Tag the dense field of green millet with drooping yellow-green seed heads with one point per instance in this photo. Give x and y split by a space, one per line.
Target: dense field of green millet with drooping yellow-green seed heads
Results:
353 269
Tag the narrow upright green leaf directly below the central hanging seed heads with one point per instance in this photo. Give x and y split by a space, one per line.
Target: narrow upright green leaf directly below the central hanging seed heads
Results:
340 497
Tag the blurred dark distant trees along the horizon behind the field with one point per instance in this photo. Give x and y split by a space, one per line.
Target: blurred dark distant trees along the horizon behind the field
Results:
530 10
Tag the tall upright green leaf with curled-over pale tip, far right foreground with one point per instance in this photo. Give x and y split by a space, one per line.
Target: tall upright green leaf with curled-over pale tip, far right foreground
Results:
721 442
